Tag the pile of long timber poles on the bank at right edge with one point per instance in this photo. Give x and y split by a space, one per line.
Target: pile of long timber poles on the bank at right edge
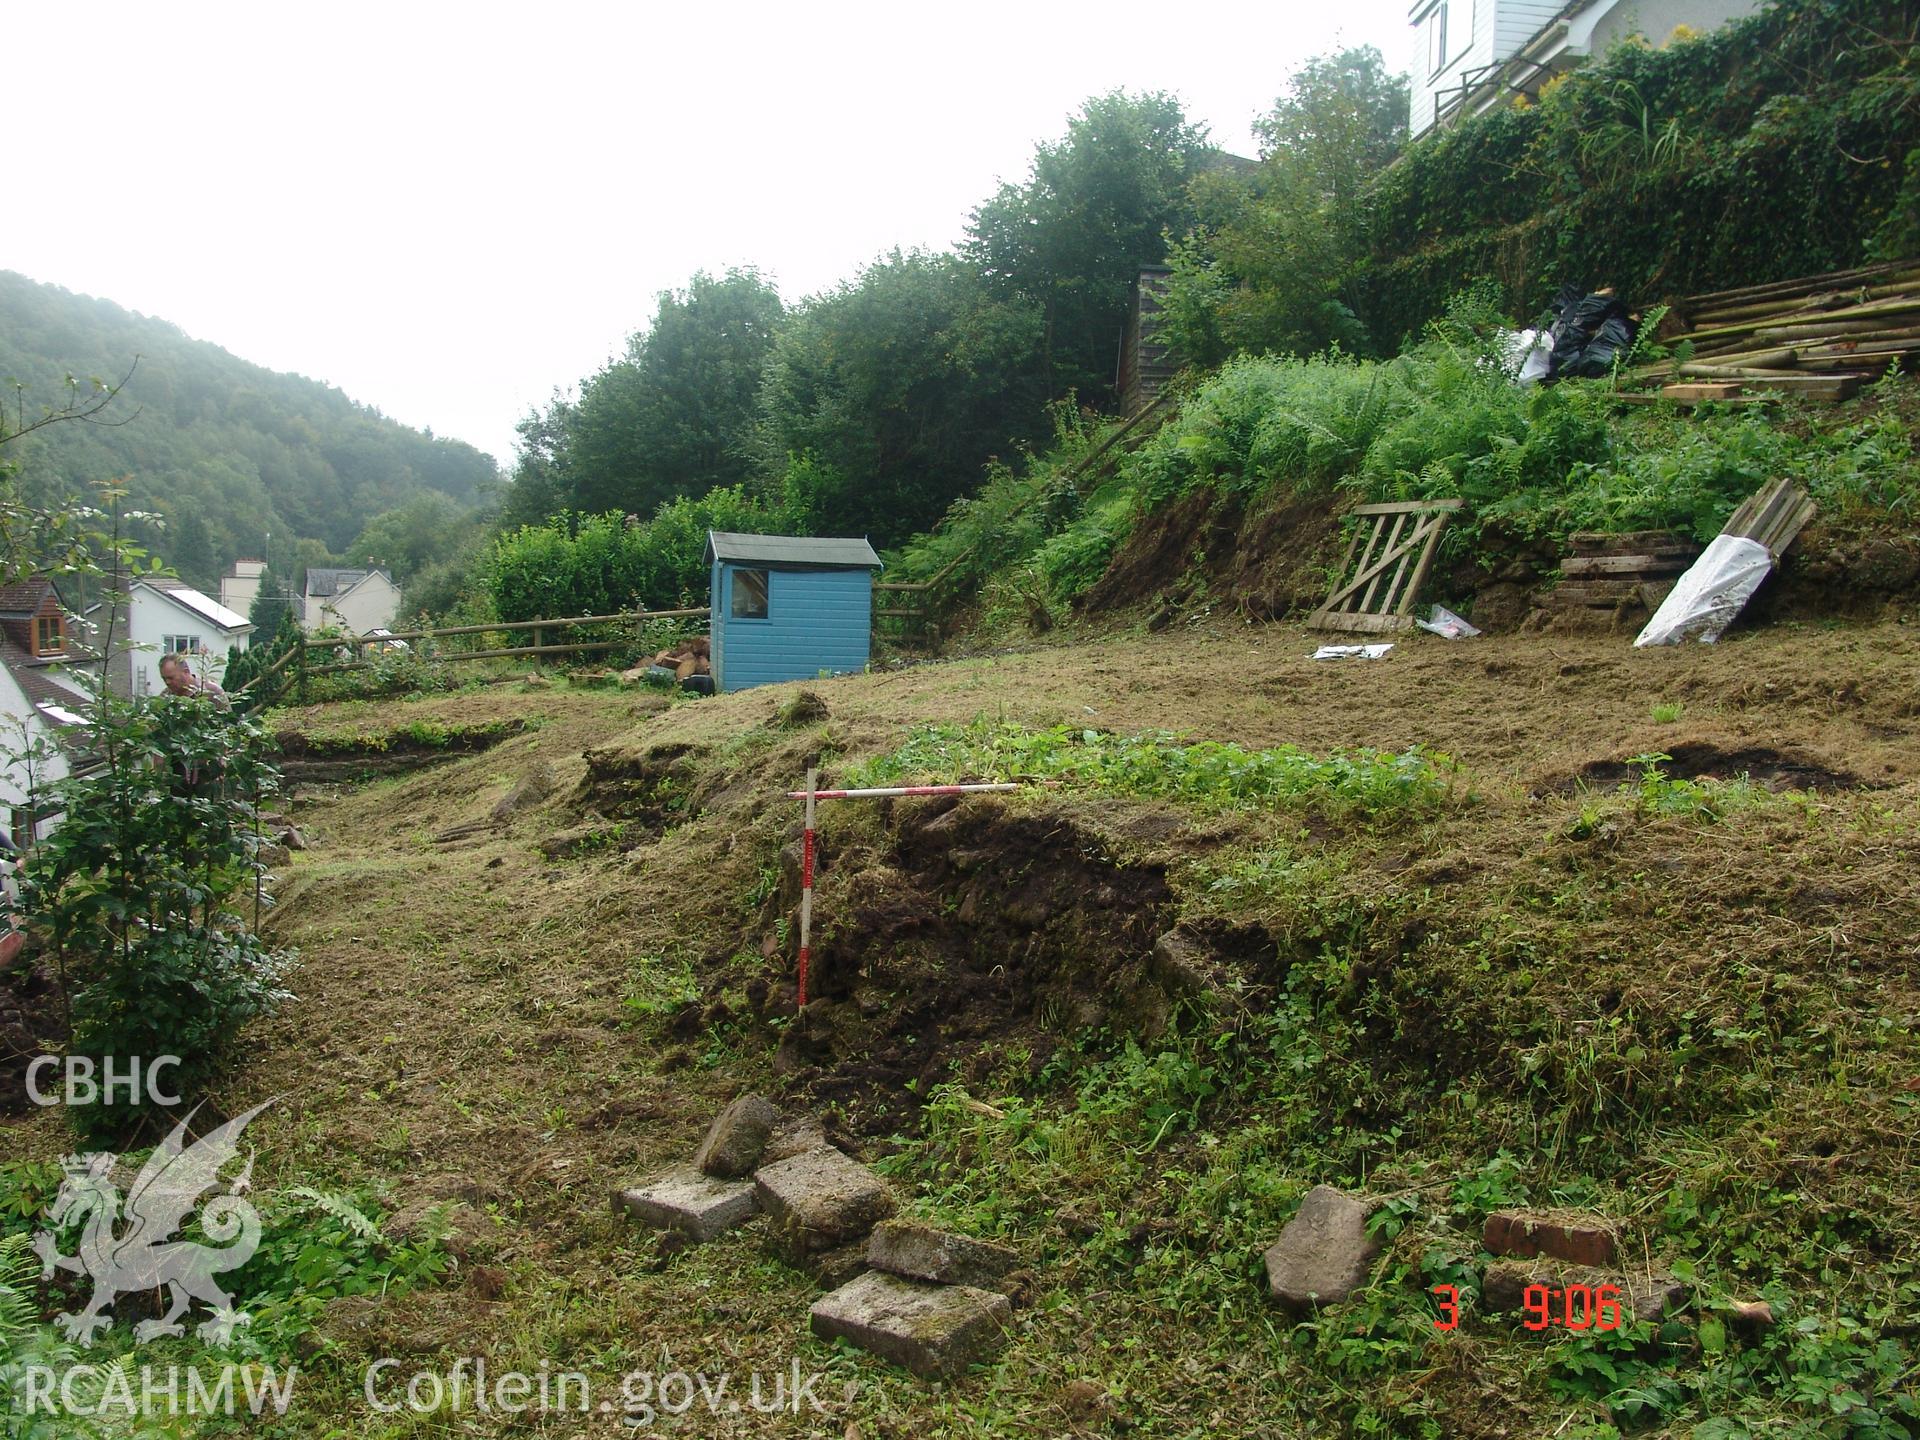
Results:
1821 337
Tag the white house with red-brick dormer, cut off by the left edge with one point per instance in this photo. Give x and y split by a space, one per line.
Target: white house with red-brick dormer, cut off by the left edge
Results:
37 702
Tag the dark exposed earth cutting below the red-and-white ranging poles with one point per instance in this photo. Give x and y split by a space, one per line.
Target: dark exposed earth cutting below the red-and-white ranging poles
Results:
972 942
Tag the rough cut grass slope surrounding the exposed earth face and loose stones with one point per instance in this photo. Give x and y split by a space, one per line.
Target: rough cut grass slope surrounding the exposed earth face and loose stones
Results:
1700 1024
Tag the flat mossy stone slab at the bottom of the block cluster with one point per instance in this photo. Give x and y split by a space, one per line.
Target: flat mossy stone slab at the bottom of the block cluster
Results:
930 1330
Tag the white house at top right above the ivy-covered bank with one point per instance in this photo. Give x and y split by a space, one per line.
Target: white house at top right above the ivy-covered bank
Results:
1472 57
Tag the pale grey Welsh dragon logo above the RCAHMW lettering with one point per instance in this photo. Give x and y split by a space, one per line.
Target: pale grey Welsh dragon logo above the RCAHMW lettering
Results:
145 1257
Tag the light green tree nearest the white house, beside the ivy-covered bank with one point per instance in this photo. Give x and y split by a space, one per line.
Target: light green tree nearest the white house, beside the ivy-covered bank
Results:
1274 258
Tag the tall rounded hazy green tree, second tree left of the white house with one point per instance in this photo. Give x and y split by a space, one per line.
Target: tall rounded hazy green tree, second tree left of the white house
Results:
1074 235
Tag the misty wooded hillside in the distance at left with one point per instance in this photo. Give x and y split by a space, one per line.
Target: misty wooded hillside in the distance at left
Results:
229 452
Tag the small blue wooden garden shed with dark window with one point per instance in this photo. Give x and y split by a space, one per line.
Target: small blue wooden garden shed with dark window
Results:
786 608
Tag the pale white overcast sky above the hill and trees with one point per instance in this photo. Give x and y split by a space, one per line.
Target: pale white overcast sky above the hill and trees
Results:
452 210
